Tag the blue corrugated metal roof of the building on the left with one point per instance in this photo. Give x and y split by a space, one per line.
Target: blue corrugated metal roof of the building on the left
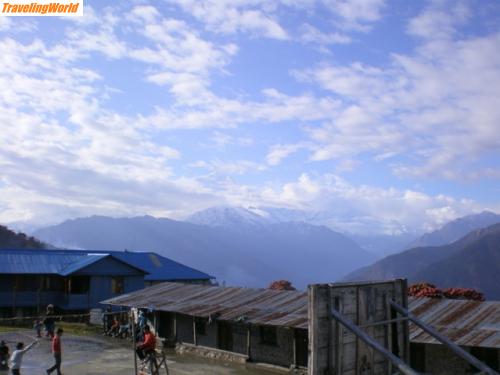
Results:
65 262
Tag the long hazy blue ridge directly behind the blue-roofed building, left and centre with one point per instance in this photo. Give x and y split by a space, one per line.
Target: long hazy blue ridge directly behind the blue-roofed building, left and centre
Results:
241 254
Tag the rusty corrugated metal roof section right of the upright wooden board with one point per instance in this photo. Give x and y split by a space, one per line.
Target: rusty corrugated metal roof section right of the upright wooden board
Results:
467 323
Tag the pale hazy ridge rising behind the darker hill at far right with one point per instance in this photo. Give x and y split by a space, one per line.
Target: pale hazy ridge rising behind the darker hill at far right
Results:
456 229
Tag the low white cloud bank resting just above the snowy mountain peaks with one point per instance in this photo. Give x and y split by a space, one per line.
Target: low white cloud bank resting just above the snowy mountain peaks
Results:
363 208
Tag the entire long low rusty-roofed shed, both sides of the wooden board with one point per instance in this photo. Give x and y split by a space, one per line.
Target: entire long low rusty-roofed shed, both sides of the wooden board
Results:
270 326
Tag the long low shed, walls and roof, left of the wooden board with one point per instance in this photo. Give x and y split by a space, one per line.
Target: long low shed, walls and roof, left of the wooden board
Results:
260 325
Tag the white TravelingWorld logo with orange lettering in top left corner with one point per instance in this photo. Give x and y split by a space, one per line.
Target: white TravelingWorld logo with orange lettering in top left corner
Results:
41 8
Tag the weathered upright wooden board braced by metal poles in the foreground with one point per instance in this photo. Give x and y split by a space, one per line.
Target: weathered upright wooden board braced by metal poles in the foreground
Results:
335 349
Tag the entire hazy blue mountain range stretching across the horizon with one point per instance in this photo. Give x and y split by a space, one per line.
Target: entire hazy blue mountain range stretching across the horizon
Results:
254 246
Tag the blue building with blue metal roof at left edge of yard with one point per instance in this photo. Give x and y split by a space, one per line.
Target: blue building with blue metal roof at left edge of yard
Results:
76 280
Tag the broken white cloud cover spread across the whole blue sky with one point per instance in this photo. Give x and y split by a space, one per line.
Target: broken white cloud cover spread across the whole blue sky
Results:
436 106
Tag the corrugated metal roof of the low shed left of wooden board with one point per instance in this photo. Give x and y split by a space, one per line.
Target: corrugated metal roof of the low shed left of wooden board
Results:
257 306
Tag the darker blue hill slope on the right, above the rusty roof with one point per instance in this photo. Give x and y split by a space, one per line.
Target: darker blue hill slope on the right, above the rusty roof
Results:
473 261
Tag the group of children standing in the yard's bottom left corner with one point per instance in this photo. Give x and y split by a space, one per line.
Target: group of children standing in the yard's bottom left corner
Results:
14 361
